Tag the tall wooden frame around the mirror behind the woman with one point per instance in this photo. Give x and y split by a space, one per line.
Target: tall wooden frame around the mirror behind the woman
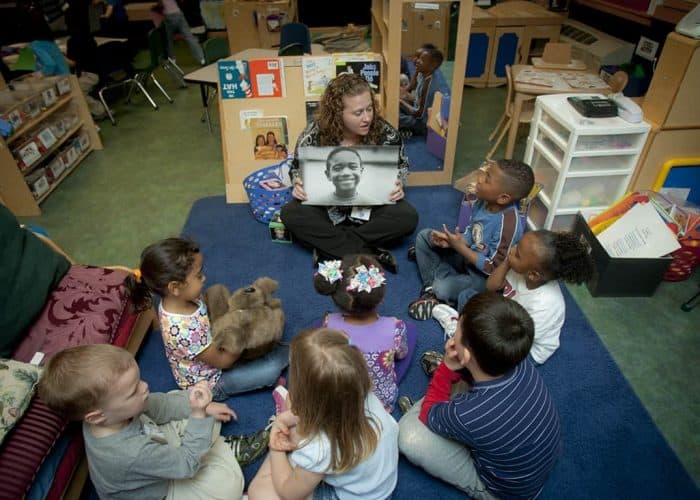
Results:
386 40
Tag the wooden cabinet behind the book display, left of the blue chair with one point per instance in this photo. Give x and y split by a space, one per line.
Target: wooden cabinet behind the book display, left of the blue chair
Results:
255 24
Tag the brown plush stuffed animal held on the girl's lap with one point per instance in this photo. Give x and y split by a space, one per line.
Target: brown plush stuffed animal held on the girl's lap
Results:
248 322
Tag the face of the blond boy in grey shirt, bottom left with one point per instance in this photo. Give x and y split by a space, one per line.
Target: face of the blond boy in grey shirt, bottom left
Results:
126 397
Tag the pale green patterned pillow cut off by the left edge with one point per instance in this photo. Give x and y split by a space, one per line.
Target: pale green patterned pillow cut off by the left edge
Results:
17 386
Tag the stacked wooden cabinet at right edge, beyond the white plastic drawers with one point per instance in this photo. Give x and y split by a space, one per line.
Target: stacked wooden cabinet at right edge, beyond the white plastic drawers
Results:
673 107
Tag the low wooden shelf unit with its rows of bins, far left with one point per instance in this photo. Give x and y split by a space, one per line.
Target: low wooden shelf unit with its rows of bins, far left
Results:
54 132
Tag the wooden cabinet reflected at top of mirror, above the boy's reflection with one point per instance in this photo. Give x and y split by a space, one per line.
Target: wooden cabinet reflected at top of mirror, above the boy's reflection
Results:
424 23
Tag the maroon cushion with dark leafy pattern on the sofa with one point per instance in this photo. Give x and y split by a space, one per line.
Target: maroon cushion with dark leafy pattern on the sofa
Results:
85 308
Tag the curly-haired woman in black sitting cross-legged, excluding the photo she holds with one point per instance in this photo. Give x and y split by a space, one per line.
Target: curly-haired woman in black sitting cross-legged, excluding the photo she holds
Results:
348 116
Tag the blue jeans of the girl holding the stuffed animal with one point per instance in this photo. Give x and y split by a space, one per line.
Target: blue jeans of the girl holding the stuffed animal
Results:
251 375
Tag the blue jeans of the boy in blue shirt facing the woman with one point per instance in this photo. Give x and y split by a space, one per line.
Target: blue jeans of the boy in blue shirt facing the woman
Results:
453 280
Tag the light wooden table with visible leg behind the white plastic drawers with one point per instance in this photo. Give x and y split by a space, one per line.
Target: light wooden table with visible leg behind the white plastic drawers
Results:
529 82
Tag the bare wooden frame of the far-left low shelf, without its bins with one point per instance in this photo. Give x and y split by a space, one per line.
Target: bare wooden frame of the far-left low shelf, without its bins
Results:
14 191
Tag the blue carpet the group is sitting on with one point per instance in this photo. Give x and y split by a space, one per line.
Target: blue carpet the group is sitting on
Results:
612 449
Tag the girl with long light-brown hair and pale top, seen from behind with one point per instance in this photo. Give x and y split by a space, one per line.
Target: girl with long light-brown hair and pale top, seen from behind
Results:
336 441
